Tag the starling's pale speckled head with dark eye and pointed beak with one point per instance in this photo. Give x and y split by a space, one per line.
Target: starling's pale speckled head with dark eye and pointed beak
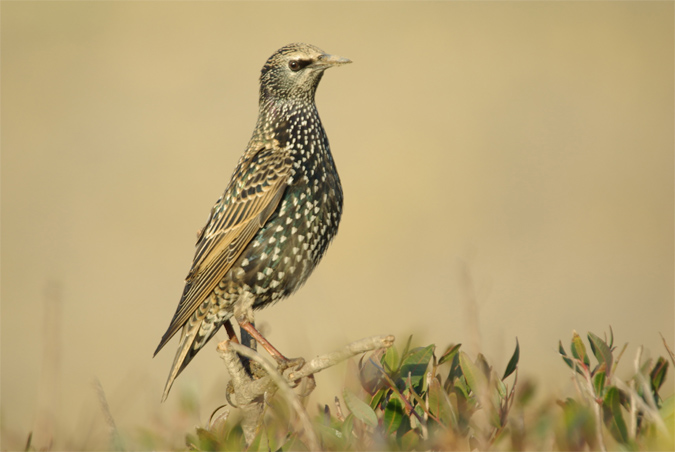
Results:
294 72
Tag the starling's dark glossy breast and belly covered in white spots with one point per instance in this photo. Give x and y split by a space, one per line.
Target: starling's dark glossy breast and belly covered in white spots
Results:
288 247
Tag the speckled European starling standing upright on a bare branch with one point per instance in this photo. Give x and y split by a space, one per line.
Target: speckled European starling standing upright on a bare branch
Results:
279 212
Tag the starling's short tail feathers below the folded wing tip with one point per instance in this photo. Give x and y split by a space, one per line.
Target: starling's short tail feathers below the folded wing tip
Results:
196 333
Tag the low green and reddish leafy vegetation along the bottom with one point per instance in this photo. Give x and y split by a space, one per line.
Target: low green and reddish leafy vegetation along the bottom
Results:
415 398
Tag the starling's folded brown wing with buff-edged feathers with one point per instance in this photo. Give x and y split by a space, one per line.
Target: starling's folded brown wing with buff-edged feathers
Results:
253 194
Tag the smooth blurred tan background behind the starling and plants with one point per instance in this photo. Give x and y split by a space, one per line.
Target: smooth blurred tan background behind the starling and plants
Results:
507 168
